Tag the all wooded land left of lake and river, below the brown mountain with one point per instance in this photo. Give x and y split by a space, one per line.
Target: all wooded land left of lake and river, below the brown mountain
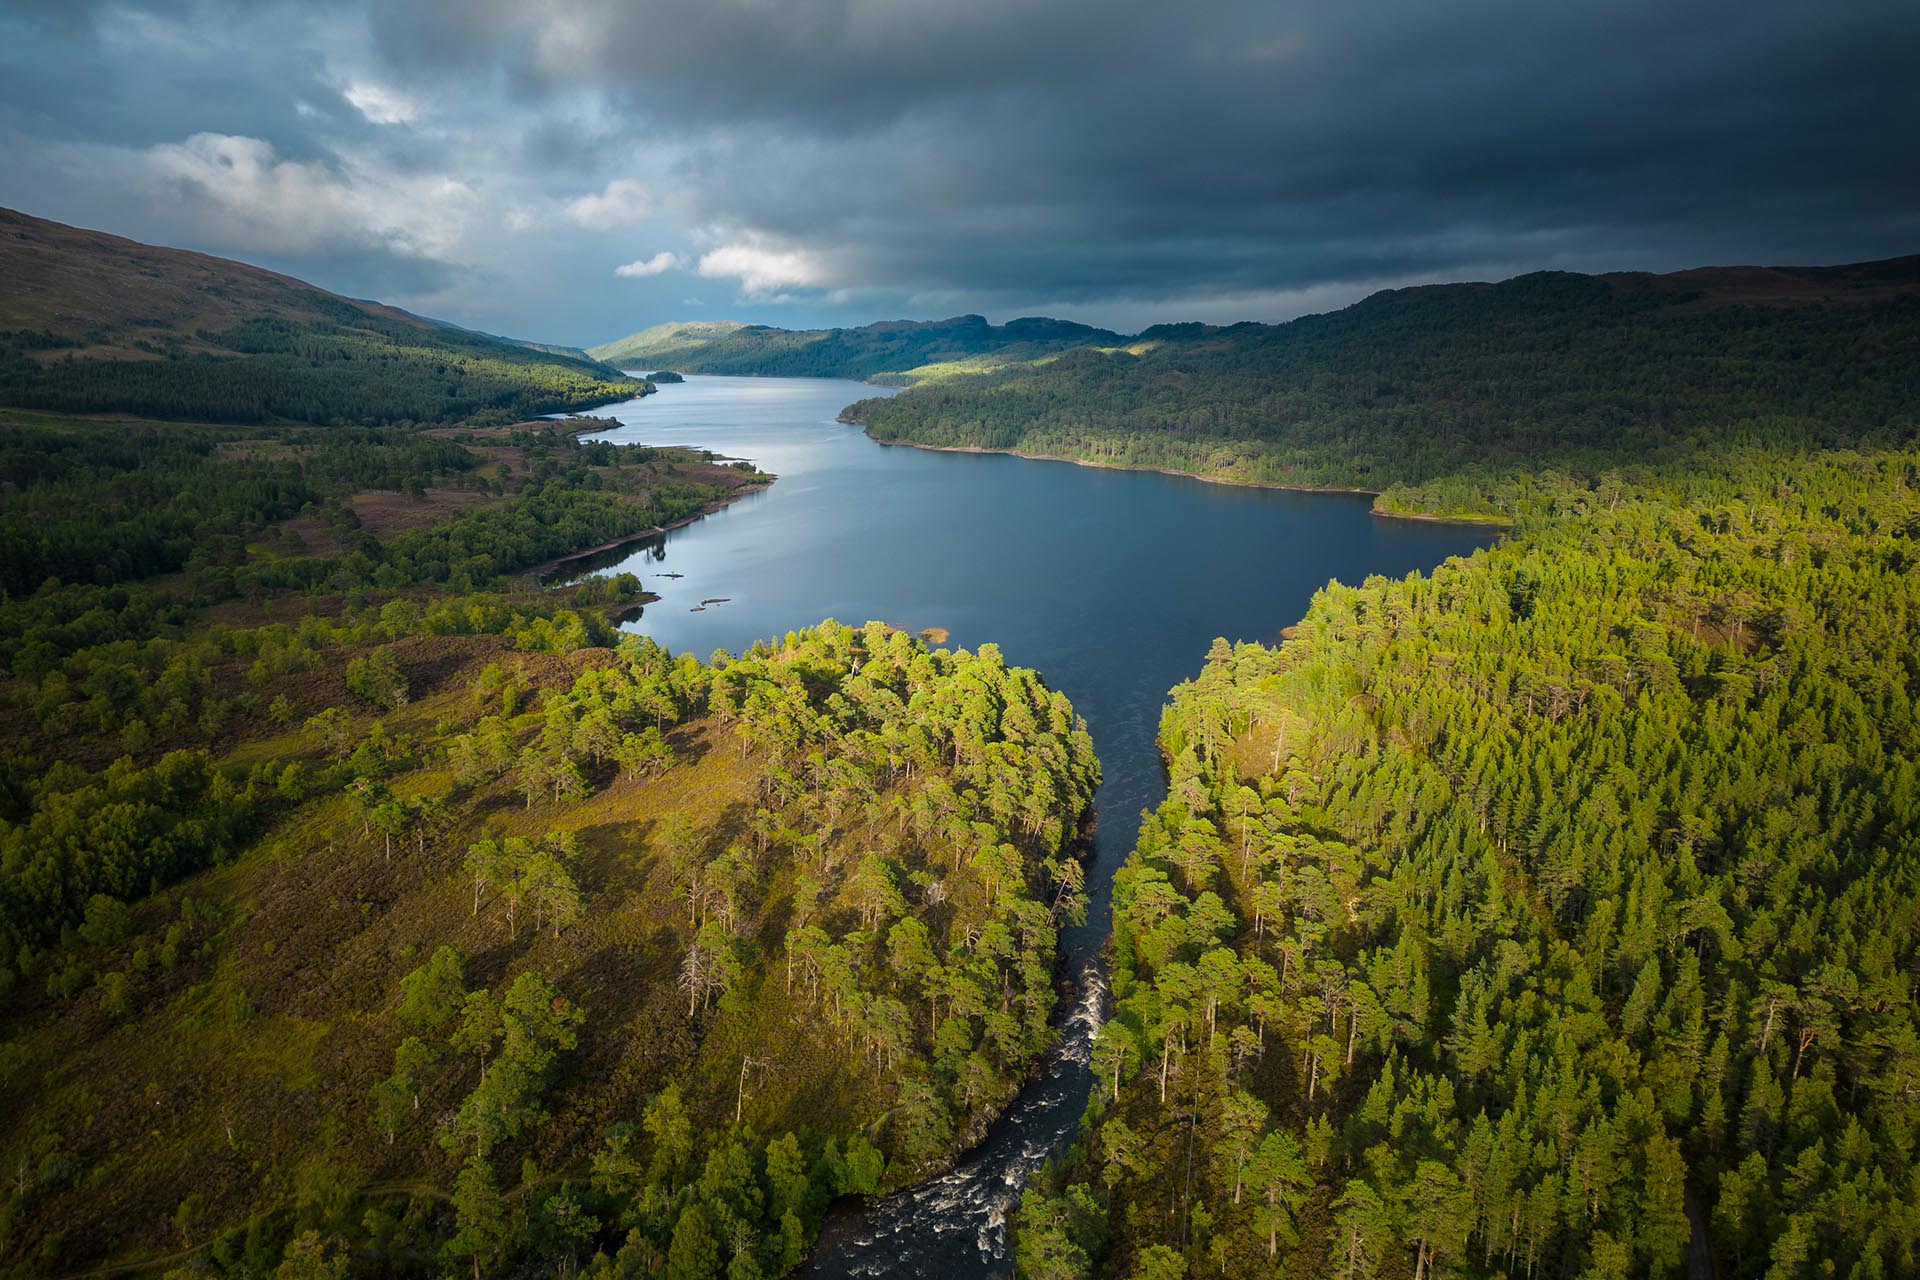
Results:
437 926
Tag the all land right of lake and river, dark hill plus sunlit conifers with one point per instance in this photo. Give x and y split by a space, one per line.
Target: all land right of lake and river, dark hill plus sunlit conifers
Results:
1548 913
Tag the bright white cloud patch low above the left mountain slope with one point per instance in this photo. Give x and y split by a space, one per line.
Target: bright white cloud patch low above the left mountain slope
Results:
239 191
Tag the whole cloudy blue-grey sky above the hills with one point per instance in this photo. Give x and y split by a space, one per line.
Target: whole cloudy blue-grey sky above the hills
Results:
581 170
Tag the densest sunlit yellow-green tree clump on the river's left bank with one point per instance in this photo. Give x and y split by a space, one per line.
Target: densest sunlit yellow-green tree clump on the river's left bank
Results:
934 951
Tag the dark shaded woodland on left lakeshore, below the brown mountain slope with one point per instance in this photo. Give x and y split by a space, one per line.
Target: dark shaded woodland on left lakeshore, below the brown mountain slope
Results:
126 534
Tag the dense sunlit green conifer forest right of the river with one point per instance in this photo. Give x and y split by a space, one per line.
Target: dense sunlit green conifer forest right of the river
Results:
1535 914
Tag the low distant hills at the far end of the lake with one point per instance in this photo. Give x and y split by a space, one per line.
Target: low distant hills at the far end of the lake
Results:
875 352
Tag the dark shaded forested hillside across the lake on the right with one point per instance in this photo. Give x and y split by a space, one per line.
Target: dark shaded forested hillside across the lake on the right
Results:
1447 394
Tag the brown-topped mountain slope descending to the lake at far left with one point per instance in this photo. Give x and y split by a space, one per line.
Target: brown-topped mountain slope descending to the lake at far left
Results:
93 323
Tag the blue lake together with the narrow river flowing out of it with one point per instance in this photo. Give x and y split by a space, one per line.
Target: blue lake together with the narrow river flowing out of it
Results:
1113 584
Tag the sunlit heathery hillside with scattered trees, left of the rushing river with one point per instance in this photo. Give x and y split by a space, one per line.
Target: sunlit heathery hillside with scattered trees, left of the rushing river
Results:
510 957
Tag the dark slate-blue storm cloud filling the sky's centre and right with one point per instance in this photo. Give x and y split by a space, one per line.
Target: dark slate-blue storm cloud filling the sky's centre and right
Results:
1105 151
